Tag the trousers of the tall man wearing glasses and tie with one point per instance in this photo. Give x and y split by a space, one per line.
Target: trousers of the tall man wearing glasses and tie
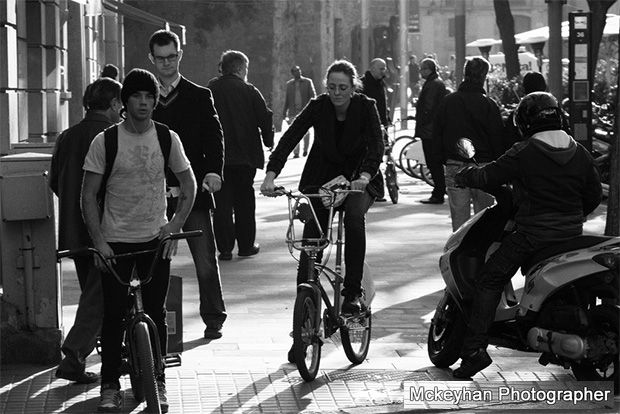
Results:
212 308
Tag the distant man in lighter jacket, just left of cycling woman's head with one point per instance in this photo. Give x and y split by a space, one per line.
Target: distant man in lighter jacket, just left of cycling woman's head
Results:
299 91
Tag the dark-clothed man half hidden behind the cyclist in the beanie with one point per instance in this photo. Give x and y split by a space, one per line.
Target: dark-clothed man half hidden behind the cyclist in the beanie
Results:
103 102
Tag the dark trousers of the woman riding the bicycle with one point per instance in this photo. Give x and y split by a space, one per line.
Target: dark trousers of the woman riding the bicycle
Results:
355 207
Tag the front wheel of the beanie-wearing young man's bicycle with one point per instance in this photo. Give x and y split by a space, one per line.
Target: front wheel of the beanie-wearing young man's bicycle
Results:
144 372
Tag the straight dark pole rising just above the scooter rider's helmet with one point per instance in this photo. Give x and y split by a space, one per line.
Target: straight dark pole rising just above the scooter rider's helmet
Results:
554 78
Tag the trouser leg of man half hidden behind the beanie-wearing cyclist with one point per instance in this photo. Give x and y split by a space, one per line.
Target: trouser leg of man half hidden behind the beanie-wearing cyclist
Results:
80 340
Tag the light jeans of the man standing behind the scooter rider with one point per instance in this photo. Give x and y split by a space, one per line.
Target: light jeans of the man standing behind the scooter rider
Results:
461 199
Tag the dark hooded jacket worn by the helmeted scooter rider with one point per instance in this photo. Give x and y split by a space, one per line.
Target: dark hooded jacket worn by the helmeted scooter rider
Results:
554 186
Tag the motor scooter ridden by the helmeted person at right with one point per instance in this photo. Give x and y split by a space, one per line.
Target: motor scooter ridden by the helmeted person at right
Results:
568 310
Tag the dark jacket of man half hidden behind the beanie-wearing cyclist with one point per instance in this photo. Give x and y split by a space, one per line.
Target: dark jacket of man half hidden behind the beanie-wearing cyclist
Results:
66 177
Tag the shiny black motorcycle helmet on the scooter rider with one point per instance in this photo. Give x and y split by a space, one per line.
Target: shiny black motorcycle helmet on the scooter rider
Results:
537 111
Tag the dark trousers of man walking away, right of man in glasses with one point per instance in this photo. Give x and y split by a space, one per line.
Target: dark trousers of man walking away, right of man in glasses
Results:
236 197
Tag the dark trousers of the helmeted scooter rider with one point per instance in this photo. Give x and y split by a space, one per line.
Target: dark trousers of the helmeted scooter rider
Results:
497 271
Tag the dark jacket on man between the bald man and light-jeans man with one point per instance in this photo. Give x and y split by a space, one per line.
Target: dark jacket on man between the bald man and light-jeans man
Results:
431 95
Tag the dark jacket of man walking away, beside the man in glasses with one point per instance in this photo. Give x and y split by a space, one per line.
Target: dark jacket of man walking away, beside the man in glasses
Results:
245 118
